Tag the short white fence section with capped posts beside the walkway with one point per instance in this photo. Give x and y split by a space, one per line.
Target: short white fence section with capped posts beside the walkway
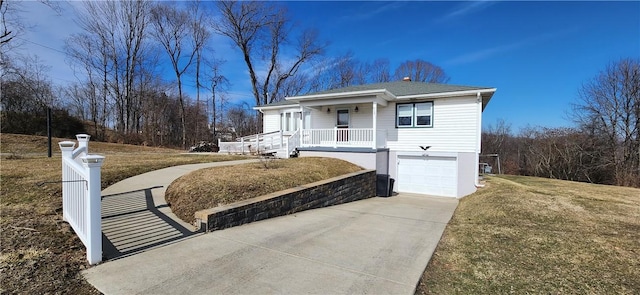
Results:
81 201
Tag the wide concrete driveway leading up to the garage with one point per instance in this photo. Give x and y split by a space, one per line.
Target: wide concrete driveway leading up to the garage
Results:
374 246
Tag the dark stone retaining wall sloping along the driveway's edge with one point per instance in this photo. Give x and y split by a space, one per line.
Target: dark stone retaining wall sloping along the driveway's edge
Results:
338 190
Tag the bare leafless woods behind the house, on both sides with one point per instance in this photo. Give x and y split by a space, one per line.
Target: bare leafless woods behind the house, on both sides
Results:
122 93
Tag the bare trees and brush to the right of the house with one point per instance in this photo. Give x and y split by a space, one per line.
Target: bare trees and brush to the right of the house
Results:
603 146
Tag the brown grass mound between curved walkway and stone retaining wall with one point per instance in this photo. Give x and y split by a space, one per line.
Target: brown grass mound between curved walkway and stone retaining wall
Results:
212 187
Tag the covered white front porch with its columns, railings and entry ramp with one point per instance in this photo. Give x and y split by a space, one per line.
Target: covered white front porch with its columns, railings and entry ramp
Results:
324 121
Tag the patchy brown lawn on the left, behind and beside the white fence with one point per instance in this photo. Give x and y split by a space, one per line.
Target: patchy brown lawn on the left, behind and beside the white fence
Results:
40 254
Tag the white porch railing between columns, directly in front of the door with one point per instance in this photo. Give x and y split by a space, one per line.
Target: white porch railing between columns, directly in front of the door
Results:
344 137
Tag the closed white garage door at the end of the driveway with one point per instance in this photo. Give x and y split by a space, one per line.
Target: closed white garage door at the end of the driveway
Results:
428 175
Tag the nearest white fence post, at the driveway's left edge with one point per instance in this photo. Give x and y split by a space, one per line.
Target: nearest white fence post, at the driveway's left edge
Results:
92 164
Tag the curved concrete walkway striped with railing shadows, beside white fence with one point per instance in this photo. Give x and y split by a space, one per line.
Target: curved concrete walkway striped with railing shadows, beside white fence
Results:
135 215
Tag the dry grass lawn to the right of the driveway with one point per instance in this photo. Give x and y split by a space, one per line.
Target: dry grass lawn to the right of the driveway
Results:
527 235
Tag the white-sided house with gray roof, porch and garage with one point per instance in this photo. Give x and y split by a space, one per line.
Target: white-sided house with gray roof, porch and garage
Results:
425 136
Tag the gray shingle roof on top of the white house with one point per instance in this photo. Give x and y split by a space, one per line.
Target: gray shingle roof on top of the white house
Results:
402 88
